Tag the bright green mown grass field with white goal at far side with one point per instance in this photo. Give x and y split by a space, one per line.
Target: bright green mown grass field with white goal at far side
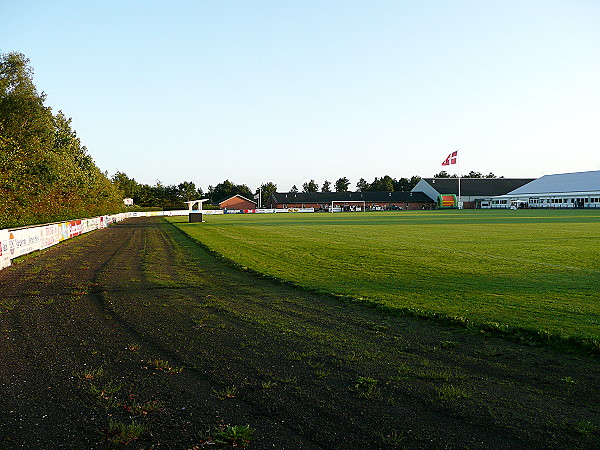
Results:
525 270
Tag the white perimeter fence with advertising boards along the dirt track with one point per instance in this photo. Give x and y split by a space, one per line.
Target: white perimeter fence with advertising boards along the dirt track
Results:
20 241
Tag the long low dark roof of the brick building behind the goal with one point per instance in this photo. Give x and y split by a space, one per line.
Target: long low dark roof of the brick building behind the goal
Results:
367 196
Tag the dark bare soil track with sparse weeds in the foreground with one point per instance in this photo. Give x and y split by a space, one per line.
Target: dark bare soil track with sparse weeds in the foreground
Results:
85 327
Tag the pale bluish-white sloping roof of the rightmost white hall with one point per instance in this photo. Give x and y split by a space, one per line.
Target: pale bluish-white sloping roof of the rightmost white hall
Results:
562 182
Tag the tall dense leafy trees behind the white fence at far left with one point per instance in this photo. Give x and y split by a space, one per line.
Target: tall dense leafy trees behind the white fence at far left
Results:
46 174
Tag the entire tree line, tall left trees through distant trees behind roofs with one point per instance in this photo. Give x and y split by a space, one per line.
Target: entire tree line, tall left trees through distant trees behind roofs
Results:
47 175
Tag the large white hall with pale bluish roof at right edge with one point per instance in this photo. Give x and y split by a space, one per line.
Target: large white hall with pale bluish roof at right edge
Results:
564 190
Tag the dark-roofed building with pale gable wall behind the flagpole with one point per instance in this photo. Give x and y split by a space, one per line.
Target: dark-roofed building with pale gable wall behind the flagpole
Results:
474 192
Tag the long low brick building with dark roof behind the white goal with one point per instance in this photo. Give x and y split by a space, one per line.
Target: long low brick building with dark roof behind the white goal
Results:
374 200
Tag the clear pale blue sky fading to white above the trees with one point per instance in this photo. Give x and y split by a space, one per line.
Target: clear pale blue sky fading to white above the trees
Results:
289 91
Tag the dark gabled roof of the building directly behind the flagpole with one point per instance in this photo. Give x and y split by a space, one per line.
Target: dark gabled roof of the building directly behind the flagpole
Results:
477 186
